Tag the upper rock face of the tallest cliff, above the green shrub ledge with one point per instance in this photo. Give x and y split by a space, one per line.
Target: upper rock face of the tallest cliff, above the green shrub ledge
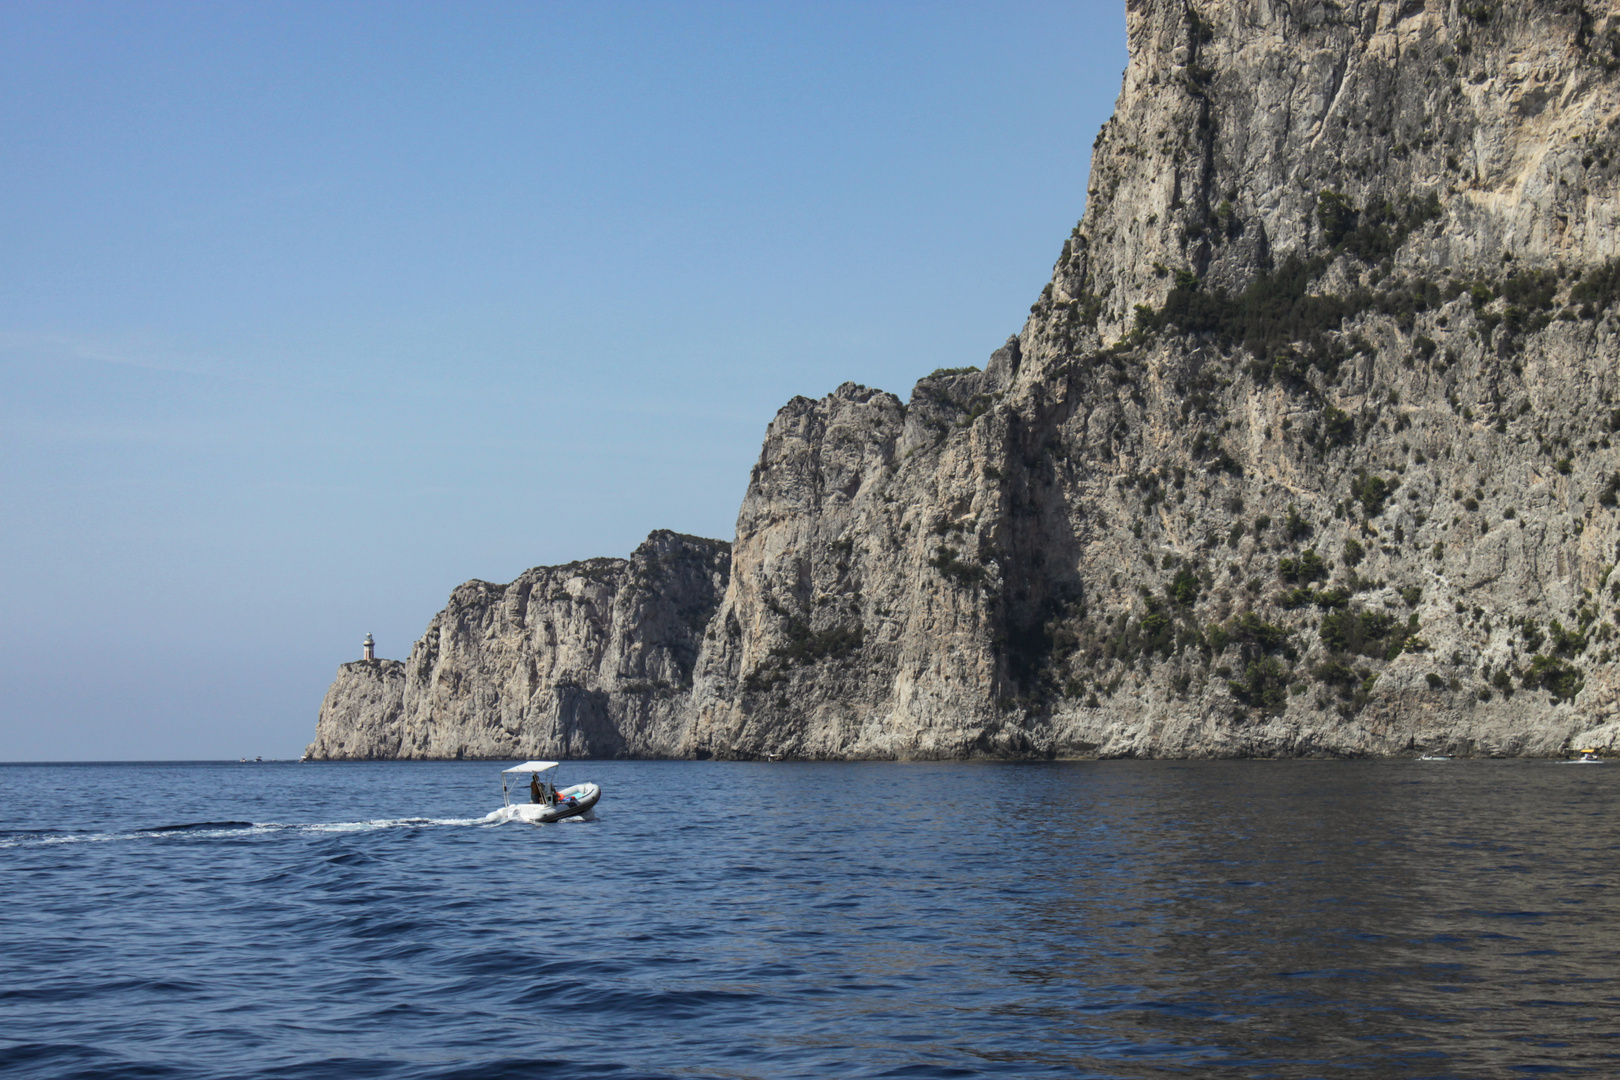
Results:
1237 116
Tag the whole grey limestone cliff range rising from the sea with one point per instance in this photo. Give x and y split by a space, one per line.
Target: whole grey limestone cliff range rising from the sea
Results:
1305 449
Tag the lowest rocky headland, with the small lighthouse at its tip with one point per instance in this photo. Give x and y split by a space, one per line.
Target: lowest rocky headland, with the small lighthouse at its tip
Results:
592 660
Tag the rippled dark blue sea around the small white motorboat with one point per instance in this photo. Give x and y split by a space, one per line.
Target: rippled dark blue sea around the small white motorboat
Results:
812 921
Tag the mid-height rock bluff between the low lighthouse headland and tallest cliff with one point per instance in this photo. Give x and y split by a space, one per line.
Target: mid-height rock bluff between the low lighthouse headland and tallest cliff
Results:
837 636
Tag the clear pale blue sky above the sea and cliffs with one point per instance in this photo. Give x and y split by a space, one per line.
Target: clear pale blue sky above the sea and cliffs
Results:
313 312
